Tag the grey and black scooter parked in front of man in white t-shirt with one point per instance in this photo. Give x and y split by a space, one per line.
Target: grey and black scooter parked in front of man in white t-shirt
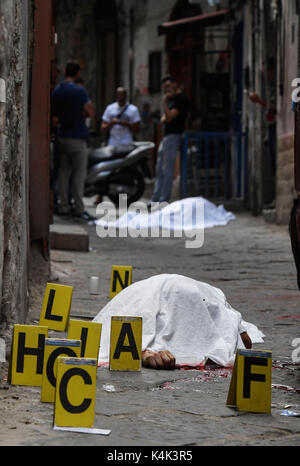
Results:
120 169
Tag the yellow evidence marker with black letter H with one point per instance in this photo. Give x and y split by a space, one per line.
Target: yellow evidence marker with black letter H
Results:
27 358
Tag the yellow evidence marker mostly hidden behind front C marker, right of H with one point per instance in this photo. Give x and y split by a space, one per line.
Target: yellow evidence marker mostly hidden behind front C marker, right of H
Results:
55 347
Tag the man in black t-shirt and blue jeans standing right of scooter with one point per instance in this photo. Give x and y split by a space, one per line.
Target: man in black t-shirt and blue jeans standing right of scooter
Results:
175 111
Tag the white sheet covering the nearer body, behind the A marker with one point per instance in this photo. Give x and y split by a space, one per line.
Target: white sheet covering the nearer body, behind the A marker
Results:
189 318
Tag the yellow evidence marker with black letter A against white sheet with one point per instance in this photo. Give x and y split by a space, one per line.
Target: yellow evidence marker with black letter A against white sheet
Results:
126 343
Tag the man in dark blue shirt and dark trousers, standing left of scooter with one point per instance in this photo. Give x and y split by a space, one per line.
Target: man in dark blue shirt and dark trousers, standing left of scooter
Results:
70 107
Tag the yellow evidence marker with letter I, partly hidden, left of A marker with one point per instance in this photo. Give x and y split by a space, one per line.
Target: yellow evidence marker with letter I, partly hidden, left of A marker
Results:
89 333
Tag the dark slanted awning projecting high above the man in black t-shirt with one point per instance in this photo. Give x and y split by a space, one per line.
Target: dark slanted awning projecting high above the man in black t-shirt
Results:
208 19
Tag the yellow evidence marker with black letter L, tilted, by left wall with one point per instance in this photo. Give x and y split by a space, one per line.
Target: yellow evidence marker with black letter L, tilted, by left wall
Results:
56 307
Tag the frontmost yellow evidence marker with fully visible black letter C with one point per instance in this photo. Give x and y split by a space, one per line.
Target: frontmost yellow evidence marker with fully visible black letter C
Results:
75 392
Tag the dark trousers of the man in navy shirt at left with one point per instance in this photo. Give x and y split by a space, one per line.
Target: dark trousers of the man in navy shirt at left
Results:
73 161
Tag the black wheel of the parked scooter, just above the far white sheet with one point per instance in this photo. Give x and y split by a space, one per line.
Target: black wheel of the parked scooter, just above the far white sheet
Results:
134 188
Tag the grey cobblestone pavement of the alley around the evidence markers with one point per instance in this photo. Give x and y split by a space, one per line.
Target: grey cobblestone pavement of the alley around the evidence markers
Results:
251 262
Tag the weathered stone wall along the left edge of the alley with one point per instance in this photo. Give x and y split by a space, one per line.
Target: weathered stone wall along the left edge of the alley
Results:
14 24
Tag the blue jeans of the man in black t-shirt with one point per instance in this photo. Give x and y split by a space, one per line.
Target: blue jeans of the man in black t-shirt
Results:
167 155
